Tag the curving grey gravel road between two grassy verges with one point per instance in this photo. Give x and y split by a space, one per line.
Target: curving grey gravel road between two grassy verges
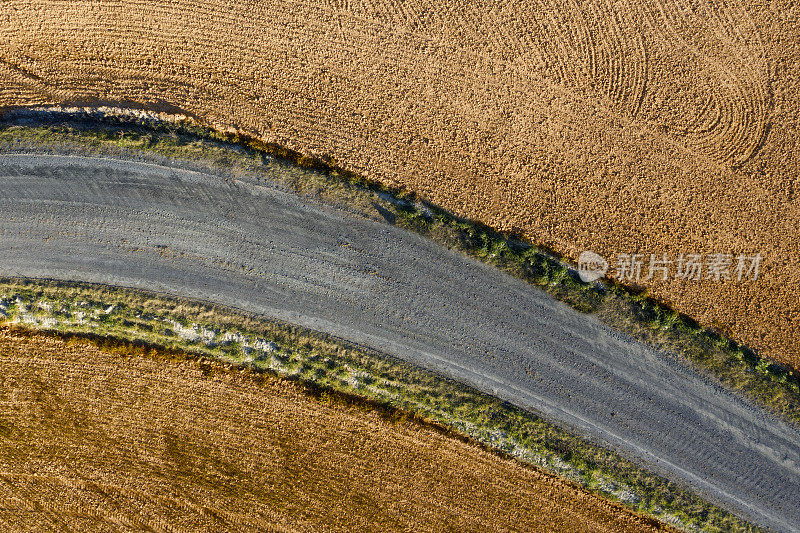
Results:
252 247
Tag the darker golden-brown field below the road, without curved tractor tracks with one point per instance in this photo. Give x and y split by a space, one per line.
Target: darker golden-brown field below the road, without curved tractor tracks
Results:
113 440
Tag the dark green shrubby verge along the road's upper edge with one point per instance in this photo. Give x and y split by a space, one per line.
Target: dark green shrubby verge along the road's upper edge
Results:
185 143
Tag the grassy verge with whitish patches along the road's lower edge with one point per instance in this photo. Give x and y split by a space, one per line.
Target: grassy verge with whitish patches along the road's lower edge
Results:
332 365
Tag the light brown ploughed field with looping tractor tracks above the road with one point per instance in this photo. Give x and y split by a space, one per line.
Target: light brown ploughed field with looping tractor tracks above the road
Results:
654 126
